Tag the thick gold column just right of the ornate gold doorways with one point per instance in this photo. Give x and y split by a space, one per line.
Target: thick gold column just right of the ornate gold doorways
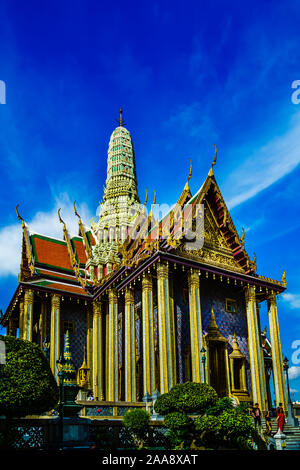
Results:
257 367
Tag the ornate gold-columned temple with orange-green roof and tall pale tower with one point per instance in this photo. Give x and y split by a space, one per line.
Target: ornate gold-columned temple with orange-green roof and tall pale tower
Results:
144 308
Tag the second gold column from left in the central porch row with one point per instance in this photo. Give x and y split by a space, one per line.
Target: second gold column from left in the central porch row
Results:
113 357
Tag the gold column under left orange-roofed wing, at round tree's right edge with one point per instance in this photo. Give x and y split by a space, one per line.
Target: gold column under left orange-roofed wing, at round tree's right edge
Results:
55 333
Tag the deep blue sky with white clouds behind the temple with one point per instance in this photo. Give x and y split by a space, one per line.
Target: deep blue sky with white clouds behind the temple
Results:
188 75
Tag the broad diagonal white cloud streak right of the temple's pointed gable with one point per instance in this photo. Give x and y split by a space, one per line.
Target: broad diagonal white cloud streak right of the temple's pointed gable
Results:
264 166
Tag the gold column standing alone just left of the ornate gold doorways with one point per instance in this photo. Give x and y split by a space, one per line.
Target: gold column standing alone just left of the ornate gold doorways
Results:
195 326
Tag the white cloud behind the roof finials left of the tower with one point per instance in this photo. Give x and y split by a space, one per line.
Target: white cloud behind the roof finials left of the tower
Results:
45 223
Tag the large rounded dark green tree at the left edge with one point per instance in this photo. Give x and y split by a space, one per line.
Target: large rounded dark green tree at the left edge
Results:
27 385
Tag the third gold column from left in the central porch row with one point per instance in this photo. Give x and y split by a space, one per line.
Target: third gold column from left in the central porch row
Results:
130 347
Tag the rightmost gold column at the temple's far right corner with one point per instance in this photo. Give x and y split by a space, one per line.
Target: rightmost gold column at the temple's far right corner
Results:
277 357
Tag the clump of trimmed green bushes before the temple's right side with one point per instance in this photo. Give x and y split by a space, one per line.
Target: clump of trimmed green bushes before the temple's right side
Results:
217 424
